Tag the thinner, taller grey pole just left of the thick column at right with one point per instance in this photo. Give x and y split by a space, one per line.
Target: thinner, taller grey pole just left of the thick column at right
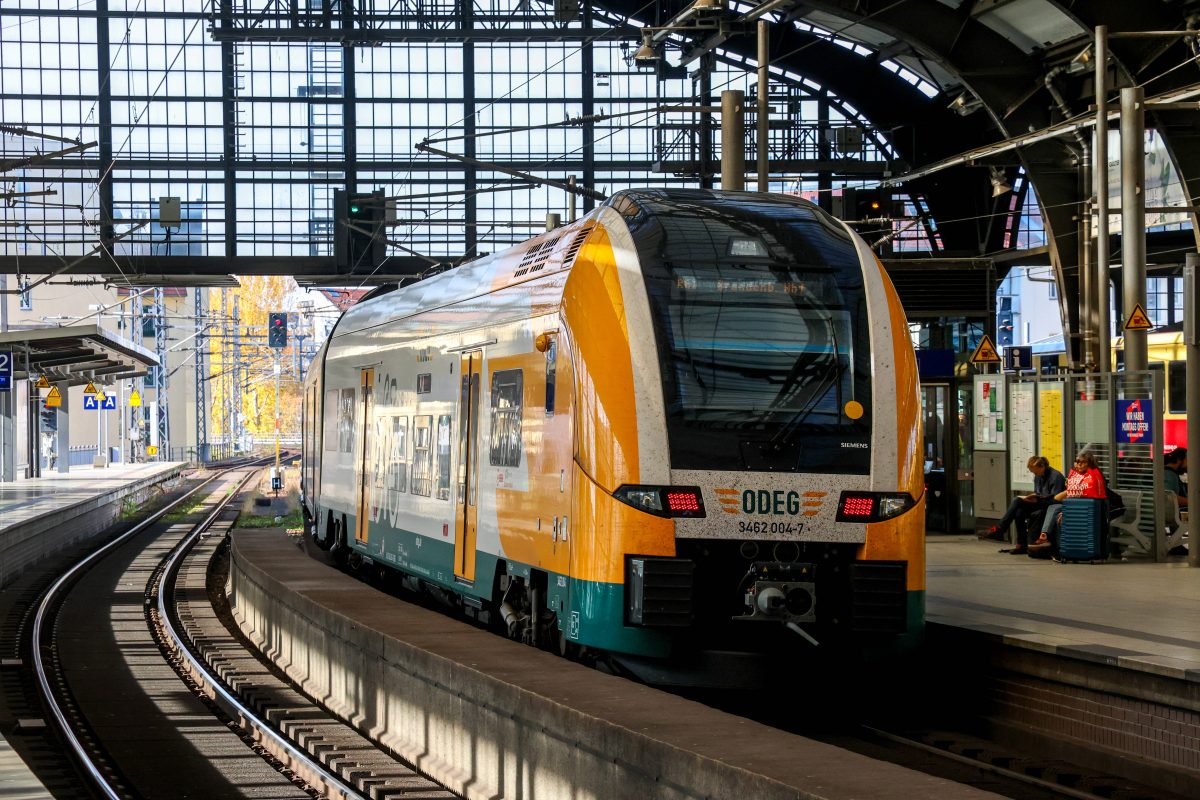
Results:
1101 189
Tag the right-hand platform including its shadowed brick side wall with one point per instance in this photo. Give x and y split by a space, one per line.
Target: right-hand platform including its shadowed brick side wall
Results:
1106 654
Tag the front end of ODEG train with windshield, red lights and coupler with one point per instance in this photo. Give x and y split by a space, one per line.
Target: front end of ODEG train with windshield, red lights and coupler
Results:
791 464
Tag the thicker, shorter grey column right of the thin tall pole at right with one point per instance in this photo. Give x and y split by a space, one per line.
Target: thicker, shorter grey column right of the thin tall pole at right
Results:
1133 220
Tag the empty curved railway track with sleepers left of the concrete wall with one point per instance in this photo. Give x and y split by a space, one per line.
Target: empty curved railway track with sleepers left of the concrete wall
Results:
117 633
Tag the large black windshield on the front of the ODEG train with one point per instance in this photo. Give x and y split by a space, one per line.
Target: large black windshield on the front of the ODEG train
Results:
764 346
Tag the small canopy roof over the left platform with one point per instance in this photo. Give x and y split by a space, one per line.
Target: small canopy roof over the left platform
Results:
76 354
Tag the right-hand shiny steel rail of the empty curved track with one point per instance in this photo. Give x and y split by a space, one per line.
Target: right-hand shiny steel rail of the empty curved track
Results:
200 670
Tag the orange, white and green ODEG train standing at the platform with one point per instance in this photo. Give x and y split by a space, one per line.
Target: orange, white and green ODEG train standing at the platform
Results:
682 432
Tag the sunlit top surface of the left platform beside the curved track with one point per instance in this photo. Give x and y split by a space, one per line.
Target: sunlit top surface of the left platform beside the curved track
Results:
31 498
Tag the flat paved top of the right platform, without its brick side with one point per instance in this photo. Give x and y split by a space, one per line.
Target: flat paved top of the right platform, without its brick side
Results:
1130 615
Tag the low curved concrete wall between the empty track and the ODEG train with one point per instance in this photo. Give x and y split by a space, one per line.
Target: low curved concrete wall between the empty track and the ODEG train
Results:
495 719
